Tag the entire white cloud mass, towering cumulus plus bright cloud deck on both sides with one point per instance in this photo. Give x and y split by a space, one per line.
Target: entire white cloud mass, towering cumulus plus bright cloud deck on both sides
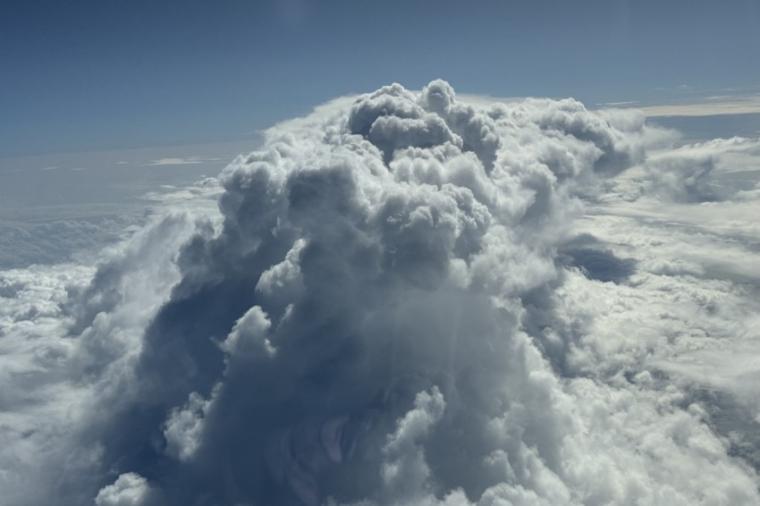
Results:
539 282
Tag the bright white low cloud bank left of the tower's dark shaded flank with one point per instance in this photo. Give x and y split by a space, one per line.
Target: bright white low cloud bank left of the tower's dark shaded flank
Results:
69 333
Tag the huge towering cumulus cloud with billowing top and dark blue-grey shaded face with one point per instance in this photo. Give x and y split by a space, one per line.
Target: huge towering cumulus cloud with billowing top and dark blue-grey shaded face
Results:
379 317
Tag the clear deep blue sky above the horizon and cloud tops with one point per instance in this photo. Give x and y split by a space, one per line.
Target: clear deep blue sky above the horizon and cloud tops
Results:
85 75
